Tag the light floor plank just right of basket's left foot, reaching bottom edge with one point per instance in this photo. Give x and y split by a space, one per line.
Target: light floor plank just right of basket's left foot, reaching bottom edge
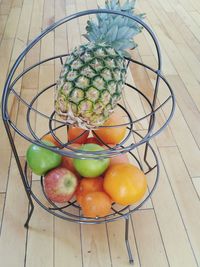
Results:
40 237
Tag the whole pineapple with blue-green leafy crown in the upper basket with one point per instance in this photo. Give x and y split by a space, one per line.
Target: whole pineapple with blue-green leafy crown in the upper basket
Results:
92 78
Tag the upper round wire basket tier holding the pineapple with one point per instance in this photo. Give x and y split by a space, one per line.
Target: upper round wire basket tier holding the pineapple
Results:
147 137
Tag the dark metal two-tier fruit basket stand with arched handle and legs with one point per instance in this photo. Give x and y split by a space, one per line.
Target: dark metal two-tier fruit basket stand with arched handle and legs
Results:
61 211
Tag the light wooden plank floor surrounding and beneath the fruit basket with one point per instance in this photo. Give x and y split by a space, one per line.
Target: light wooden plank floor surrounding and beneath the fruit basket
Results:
166 231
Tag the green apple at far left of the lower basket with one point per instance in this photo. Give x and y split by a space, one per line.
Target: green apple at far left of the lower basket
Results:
40 160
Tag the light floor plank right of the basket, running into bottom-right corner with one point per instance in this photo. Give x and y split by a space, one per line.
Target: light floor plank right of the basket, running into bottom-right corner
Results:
186 196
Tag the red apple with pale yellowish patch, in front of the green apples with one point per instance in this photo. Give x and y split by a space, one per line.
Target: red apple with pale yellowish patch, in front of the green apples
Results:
60 185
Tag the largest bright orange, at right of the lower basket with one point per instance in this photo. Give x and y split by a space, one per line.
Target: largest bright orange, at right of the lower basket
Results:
125 183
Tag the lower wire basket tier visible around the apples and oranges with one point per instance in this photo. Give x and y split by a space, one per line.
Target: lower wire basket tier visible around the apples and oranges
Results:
144 157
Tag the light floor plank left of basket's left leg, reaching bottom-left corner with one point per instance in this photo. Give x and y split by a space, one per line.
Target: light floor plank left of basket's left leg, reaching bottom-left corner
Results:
13 235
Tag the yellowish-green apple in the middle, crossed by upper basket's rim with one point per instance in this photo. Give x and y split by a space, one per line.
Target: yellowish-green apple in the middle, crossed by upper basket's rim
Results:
91 167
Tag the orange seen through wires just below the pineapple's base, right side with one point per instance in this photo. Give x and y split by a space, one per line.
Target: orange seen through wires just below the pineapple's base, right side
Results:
113 135
